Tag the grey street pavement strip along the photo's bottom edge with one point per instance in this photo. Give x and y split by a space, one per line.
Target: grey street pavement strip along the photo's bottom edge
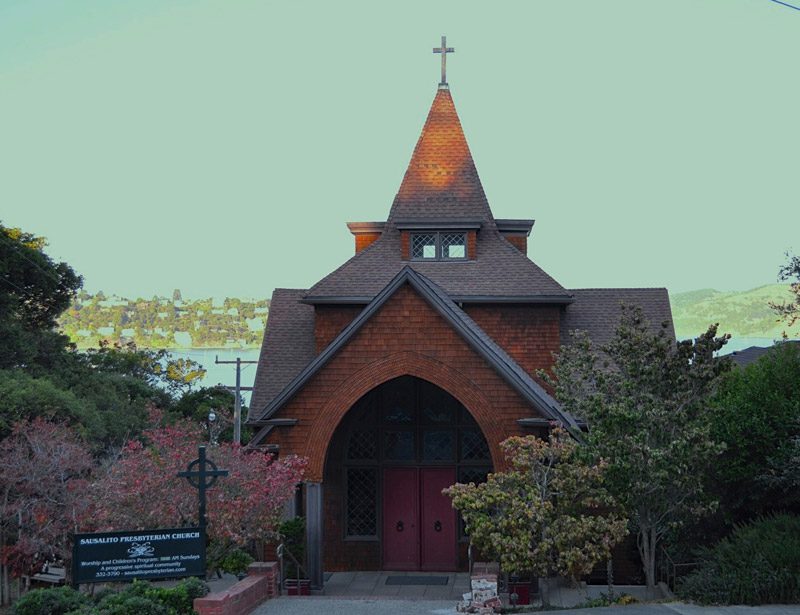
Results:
346 606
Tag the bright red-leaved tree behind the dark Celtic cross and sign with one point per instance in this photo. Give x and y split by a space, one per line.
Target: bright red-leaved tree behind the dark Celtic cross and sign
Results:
140 490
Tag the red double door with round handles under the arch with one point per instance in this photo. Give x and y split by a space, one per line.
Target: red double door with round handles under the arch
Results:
419 523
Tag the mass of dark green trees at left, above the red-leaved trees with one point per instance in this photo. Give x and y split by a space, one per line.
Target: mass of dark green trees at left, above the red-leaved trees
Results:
105 392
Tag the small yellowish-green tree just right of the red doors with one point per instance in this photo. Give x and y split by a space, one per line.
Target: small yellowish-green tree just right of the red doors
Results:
550 513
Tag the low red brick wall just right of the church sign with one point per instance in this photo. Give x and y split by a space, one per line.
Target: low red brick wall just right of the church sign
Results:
260 584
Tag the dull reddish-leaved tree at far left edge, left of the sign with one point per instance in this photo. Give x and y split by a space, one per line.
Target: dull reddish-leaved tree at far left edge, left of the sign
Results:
44 469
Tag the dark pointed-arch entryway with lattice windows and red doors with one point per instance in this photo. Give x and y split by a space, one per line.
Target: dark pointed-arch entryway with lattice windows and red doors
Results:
390 458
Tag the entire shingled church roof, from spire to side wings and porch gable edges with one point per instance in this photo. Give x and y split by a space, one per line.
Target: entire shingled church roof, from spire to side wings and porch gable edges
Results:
441 186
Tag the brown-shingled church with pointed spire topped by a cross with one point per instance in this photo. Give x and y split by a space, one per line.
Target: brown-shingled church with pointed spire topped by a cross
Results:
400 372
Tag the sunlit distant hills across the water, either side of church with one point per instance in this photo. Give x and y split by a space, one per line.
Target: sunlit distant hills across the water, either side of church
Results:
172 323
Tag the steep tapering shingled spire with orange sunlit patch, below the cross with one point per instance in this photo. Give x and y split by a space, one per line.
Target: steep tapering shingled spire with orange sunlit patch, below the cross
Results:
441 180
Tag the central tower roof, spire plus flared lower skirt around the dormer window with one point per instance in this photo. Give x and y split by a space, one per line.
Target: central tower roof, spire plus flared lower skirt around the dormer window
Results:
441 184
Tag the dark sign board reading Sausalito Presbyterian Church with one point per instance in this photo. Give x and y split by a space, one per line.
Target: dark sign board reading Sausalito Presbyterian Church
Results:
148 554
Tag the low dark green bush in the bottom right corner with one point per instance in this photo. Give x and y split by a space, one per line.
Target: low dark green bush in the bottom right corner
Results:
758 563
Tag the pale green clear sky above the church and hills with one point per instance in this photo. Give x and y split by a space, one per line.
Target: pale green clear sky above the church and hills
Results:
220 146
